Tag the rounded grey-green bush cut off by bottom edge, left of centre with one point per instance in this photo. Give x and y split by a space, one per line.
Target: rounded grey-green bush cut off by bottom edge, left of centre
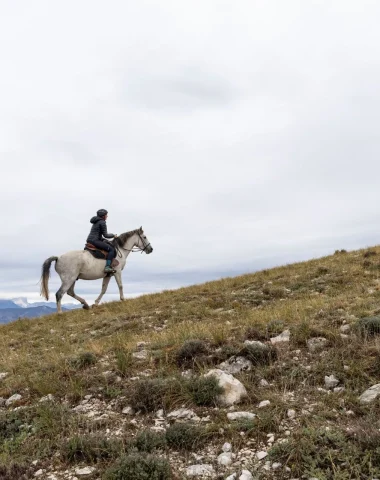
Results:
139 467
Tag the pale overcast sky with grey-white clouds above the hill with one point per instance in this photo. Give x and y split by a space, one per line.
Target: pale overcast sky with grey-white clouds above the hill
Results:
239 134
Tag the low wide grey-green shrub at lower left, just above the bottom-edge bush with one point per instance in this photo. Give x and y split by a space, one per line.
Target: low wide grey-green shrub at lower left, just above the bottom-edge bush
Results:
90 449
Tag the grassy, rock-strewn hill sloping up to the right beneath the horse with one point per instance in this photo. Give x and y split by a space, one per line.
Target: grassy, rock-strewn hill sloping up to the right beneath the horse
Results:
119 392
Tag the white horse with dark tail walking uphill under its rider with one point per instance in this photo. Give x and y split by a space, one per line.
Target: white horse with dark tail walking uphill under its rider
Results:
81 265
